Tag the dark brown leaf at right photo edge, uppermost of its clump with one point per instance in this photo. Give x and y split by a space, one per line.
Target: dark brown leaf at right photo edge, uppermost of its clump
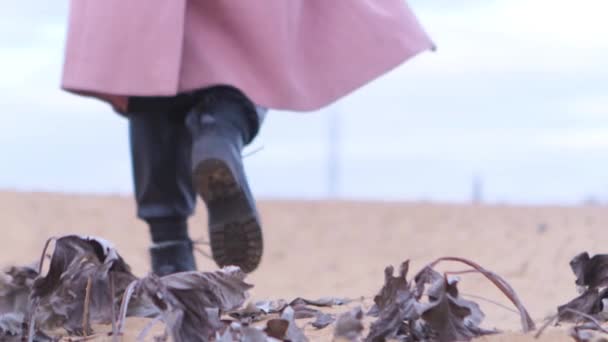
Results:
591 272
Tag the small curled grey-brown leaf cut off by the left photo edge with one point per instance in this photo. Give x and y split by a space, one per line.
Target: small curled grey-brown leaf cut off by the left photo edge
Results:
15 287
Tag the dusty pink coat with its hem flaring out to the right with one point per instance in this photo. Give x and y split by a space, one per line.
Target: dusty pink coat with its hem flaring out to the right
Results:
284 54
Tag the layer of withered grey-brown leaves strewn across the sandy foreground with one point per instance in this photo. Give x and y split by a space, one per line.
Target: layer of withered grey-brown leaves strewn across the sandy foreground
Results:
86 283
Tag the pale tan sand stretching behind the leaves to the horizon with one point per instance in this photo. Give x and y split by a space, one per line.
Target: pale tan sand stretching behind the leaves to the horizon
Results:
323 248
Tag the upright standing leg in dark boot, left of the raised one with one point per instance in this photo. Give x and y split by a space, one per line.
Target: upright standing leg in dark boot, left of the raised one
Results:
161 158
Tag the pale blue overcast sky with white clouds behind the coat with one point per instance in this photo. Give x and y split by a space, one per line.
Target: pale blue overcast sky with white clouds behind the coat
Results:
516 93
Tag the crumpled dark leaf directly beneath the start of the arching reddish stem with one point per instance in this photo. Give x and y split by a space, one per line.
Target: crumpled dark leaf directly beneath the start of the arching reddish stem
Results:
452 318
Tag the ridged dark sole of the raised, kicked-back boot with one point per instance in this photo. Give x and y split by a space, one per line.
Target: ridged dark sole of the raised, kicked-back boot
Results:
234 229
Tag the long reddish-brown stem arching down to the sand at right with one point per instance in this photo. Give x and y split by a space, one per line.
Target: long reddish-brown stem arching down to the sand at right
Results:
526 321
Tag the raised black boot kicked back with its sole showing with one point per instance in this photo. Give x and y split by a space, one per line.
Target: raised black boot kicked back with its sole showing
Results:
221 124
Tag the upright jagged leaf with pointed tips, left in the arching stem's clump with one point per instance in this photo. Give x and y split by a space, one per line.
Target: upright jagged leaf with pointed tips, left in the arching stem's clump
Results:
395 304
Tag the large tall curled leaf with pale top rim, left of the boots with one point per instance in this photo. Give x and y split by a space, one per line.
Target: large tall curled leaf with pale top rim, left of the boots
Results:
61 292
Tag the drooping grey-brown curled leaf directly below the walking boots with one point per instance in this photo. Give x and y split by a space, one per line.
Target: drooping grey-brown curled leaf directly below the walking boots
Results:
191 302
